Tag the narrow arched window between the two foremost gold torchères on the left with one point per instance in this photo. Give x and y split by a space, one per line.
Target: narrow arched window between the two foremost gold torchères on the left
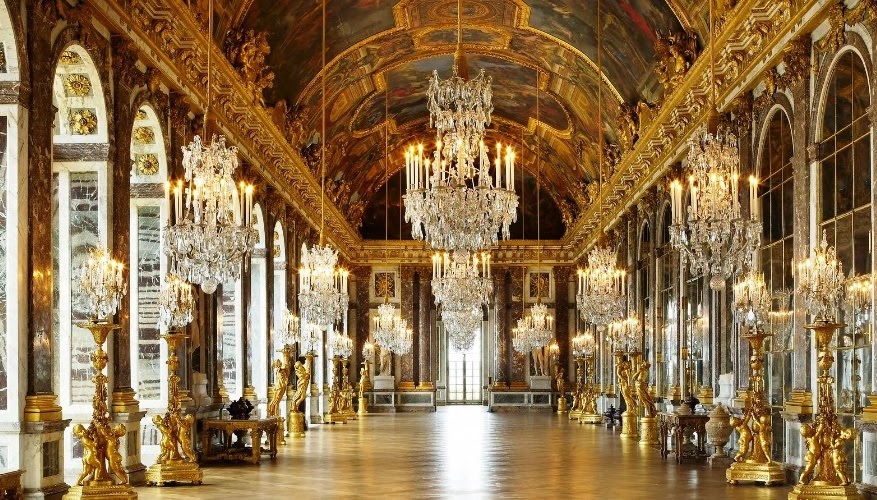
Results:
148 216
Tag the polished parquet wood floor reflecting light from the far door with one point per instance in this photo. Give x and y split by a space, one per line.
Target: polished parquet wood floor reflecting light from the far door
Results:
463 452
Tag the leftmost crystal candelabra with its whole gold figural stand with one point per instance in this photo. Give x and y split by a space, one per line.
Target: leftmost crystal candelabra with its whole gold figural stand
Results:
101 286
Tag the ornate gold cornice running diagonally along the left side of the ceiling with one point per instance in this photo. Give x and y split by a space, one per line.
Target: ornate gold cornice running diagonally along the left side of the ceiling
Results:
171 39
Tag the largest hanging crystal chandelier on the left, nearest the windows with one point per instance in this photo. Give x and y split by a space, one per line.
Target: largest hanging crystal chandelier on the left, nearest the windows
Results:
211 232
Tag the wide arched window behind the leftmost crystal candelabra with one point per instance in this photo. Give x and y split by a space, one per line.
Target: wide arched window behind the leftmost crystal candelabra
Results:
79 221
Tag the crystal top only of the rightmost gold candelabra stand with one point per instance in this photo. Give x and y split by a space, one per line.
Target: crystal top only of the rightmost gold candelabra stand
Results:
820 282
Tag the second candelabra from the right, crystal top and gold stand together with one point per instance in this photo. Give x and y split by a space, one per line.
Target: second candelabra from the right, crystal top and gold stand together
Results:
753 463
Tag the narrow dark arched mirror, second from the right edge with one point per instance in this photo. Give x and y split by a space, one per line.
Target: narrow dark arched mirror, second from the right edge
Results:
775 259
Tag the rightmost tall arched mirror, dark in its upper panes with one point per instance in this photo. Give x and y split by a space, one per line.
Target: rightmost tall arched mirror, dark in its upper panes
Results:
844 180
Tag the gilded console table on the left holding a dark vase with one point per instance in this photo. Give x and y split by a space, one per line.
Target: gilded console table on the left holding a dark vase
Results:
235 449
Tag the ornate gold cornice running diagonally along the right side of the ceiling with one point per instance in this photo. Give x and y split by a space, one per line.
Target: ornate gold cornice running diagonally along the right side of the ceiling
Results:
751 32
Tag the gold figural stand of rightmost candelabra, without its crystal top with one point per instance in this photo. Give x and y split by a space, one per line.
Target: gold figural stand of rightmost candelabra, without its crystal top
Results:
825 465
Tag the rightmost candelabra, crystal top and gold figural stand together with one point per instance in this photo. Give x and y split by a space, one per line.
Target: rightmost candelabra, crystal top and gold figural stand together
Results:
820 281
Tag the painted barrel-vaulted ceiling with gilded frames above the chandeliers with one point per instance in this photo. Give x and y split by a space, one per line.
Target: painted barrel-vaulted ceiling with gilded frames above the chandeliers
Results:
381 50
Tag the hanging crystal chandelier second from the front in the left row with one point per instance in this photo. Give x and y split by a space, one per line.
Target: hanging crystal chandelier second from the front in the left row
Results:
322 295
